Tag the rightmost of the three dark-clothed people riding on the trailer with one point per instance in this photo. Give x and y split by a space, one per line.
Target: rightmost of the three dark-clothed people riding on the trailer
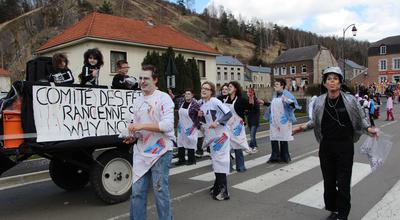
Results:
122 80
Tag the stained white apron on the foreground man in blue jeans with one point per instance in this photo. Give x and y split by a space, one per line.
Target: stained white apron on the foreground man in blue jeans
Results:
150 146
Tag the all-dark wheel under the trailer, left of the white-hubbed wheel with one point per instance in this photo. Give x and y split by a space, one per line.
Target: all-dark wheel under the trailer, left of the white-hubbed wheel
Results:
68 176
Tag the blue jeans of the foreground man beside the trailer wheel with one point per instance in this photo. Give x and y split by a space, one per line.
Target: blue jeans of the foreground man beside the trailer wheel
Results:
158 175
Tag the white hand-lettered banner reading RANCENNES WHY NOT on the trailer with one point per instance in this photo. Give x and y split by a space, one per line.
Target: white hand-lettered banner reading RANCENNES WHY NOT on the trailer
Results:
68 113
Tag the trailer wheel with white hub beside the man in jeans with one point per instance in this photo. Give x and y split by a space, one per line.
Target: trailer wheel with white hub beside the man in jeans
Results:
111 177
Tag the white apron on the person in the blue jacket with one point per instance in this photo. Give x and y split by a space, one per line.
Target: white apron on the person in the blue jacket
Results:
281 127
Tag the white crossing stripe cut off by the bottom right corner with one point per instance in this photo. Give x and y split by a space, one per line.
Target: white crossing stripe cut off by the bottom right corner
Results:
388 207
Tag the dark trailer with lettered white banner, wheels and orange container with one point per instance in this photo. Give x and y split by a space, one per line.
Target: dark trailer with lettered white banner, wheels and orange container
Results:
67 124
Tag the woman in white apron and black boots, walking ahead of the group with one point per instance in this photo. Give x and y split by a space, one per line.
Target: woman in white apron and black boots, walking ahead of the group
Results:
214 116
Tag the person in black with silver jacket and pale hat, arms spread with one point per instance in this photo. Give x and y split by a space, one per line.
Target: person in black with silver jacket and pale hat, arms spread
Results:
338 121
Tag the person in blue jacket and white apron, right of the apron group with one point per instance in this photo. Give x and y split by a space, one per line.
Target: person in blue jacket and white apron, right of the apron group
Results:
281 117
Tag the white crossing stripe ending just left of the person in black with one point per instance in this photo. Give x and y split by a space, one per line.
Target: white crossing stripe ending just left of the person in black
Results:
268 180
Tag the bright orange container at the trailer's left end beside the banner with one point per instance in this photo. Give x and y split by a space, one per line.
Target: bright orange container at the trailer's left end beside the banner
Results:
13 133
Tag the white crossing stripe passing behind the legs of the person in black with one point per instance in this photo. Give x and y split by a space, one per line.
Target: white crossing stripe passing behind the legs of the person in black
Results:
313 196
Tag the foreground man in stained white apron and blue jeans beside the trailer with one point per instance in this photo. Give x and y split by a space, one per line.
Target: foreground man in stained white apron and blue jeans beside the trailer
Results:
152 126
